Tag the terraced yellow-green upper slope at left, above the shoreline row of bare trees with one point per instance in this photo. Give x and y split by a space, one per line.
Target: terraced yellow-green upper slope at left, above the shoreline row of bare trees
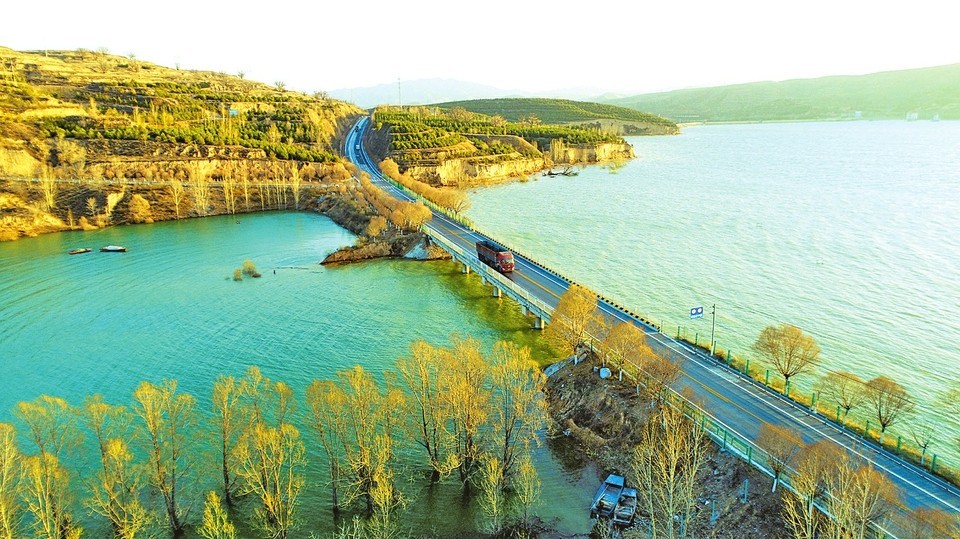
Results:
126 109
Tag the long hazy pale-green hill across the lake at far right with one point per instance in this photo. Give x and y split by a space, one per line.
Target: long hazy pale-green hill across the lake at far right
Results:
926 92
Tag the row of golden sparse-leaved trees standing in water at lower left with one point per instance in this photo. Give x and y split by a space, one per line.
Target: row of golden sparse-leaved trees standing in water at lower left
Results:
460 413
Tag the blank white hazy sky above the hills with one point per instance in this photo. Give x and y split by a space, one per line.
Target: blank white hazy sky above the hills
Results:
626 46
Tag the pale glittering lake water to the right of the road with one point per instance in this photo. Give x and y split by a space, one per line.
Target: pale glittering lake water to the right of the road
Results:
848 230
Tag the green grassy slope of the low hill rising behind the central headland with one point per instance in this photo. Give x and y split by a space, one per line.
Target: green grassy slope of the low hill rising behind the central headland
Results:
554 110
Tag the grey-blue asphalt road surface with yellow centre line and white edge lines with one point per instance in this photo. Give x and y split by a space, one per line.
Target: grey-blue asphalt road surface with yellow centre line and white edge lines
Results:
739 403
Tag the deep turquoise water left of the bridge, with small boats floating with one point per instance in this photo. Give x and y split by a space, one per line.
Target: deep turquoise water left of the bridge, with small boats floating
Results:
72 326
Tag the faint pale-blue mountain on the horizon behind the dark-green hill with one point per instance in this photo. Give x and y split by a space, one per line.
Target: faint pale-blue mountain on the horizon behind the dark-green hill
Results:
426 91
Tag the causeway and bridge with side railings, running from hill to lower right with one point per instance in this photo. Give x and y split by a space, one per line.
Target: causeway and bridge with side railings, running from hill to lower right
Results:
732 406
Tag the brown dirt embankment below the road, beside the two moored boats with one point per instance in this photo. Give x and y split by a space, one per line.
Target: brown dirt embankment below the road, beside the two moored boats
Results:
604 420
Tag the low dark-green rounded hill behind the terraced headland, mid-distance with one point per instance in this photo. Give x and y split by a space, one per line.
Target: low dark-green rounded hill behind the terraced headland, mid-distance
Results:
565 111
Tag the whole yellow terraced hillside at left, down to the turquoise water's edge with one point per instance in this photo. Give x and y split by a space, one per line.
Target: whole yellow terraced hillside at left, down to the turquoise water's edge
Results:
88 139
